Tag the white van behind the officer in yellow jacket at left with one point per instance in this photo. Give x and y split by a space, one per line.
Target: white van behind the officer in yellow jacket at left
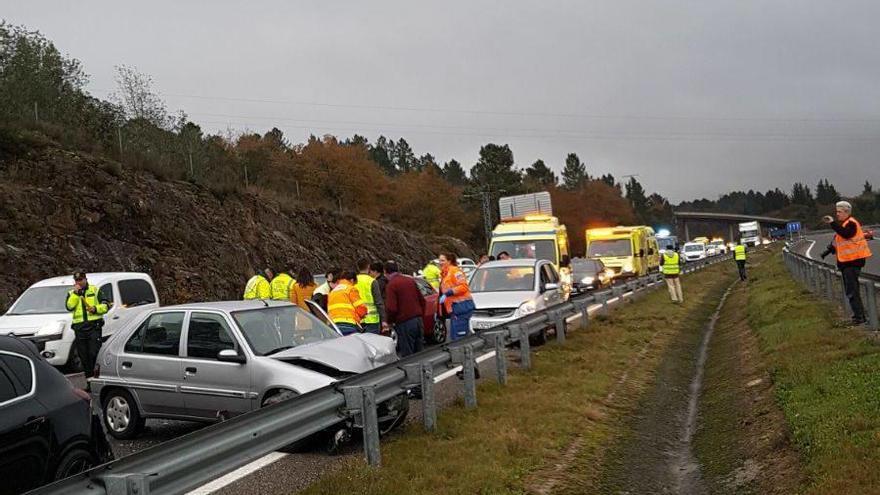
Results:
40 315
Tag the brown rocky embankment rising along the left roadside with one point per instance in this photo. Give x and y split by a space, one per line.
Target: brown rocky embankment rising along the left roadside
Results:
61 211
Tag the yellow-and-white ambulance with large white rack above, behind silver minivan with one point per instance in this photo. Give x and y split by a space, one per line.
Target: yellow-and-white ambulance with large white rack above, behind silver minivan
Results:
528 229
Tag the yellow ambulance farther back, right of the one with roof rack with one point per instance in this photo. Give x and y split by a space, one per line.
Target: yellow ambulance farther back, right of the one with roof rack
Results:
631 251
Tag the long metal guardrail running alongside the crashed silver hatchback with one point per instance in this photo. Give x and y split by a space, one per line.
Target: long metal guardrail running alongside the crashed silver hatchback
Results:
190 461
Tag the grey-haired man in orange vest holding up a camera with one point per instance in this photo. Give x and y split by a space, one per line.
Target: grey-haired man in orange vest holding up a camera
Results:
851 246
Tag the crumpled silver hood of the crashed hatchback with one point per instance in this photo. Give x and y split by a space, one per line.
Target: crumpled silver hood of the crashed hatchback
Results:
354 353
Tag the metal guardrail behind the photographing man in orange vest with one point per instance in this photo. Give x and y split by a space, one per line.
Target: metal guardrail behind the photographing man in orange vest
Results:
825 280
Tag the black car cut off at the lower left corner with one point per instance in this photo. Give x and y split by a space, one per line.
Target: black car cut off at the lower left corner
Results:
47 429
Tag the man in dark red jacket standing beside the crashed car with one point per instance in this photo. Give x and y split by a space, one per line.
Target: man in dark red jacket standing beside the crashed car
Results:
404 307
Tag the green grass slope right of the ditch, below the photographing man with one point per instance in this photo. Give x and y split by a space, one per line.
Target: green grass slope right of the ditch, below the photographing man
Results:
826 381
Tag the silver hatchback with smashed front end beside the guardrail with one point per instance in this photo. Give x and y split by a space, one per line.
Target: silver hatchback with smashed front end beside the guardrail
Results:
212 361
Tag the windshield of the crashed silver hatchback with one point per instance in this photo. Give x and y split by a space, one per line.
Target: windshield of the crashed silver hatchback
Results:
274 329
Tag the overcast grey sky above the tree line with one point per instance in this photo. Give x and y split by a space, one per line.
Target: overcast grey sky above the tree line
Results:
696 97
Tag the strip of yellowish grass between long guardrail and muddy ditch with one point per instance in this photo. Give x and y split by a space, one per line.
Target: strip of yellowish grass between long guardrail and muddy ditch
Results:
522 436
